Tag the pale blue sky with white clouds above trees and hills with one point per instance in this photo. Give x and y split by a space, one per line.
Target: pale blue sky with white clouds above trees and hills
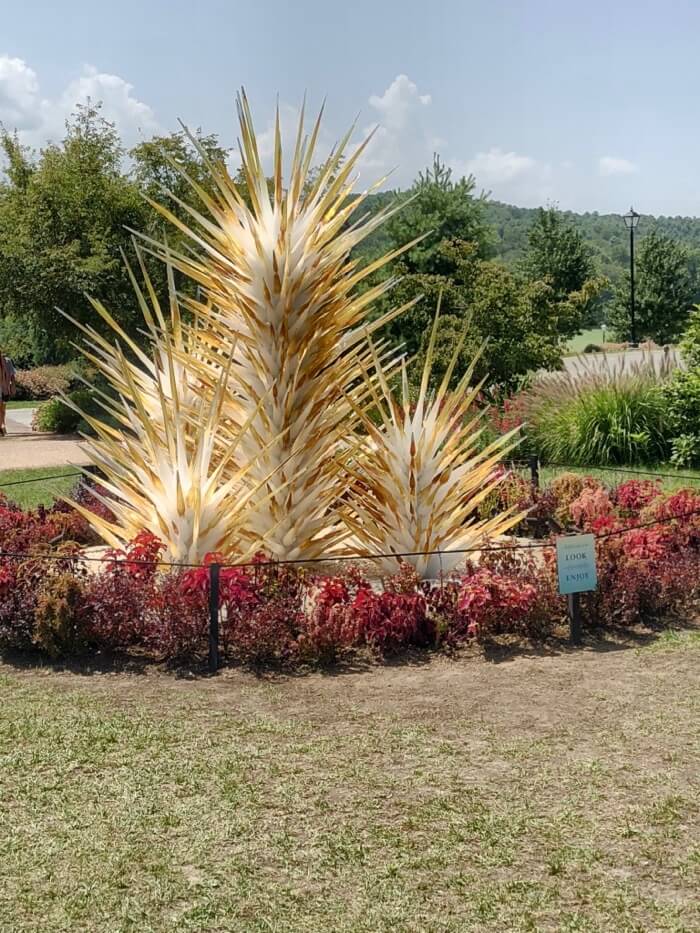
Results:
589 106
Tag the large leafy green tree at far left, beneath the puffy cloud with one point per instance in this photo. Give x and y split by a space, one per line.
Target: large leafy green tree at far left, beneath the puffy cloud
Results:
63 223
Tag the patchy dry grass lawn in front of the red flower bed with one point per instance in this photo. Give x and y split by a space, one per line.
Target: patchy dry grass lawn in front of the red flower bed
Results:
545 792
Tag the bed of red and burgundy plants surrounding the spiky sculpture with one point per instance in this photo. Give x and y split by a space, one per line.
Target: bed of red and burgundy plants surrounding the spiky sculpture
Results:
271 614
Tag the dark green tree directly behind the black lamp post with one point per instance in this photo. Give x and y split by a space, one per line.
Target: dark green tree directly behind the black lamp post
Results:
666 287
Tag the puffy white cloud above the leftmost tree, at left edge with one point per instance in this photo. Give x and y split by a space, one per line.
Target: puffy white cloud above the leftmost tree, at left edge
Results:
38 119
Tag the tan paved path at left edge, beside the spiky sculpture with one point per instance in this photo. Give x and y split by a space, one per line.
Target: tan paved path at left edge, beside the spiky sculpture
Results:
22 450
